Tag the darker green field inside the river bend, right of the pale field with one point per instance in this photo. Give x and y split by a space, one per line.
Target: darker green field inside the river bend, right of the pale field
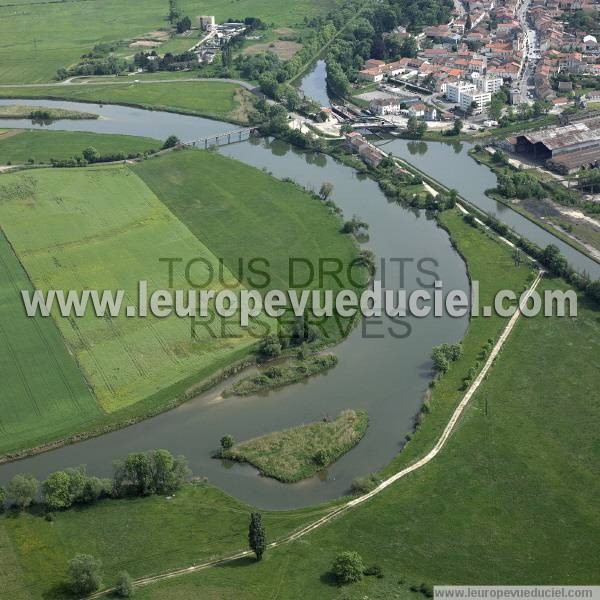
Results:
229 207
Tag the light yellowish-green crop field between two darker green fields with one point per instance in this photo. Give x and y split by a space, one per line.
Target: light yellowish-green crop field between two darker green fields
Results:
103 229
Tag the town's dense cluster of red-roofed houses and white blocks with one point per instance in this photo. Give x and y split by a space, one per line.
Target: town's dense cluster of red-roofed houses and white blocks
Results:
472 56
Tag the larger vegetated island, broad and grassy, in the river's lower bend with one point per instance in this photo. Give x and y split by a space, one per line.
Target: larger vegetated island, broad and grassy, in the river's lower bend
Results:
299 452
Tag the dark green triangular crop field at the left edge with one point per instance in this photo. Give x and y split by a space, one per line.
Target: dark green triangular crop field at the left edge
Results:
42 389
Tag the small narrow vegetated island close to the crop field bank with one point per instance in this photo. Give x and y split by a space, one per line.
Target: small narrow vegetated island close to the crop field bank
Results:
277 376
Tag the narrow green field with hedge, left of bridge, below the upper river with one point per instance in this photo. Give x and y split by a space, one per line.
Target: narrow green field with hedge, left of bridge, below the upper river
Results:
44 145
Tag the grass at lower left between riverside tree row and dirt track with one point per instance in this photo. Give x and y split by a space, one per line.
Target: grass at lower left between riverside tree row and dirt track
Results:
140 535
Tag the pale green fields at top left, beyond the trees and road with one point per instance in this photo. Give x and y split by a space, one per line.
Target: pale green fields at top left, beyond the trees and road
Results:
37 38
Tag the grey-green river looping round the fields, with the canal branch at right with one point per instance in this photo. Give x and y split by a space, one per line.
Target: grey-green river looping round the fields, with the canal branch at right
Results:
385 373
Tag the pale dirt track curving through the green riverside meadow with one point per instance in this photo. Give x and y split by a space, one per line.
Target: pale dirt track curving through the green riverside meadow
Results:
458 411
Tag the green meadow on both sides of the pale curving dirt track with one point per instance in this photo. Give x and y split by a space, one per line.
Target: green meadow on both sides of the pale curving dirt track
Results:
518 479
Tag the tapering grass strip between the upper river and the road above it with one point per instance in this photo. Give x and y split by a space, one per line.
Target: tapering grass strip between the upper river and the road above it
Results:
215 99
